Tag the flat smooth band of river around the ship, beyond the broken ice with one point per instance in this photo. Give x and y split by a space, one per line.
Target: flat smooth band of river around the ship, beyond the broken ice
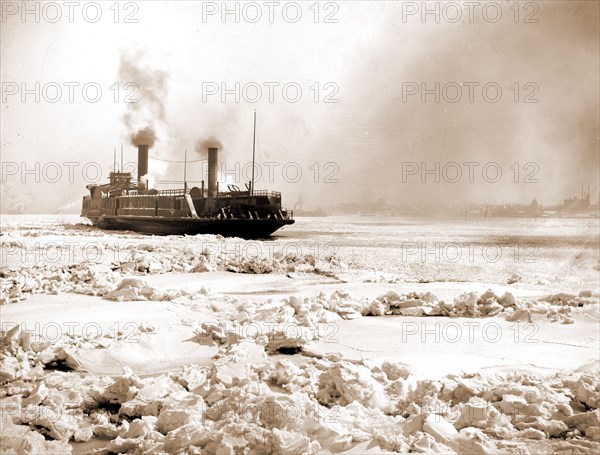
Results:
550 251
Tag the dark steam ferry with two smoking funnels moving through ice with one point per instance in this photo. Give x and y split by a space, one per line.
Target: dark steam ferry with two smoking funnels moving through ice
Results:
125 205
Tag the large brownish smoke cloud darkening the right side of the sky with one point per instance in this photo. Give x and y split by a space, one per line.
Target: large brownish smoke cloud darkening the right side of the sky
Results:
559 133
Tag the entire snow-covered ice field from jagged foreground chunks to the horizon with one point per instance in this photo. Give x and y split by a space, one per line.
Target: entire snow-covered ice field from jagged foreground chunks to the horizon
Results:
210 345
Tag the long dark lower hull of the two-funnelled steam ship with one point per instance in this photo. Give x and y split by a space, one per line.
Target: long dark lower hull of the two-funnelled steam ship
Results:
248 229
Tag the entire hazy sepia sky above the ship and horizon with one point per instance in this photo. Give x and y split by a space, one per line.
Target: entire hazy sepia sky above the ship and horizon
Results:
372 143
